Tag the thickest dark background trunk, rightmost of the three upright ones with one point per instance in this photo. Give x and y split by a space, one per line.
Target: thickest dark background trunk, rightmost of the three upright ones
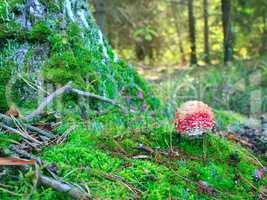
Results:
227 31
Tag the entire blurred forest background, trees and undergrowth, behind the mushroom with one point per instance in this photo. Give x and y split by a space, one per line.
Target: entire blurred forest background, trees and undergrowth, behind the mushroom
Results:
224 42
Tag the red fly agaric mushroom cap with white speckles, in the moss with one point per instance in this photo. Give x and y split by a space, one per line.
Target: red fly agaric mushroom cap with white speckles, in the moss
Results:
194 118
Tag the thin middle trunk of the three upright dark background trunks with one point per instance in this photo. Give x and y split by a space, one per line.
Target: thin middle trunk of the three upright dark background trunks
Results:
206 32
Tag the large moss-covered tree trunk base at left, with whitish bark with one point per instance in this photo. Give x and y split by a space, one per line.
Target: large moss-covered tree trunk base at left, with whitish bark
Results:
47 43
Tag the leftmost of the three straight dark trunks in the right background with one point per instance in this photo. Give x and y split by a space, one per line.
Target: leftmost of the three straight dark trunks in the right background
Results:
192 32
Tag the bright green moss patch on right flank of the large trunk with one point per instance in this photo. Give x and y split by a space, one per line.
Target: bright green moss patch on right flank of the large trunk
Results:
70 60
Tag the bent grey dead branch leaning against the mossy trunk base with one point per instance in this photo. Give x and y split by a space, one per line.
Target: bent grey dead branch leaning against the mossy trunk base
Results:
69 88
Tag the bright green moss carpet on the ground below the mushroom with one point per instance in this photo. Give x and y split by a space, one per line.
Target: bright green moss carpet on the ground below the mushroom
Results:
90 156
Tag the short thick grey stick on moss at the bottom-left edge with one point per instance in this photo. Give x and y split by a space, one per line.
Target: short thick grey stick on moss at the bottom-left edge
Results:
69 189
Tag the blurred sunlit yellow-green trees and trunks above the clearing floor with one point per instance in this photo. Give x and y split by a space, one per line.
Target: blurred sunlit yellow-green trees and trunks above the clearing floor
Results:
172 32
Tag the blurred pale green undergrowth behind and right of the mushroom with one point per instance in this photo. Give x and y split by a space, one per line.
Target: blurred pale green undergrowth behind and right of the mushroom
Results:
239 86
